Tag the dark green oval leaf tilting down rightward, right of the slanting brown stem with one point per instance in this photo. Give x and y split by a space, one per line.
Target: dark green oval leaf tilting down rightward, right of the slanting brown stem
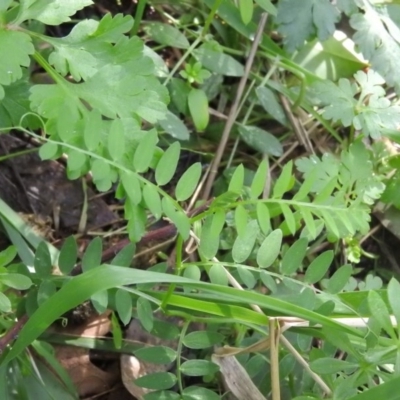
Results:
261 140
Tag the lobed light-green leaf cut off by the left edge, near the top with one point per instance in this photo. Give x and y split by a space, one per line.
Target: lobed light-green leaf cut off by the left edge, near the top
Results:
18 47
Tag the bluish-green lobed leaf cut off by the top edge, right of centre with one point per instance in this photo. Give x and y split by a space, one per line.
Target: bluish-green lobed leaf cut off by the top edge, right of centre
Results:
298 21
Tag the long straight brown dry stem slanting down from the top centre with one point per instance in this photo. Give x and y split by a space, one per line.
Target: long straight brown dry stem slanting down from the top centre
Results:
233 112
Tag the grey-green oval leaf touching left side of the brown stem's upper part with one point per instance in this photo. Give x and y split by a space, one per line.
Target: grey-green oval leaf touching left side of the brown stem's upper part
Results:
211 56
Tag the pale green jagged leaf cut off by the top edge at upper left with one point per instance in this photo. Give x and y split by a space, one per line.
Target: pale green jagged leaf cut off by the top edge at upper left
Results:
51 12
